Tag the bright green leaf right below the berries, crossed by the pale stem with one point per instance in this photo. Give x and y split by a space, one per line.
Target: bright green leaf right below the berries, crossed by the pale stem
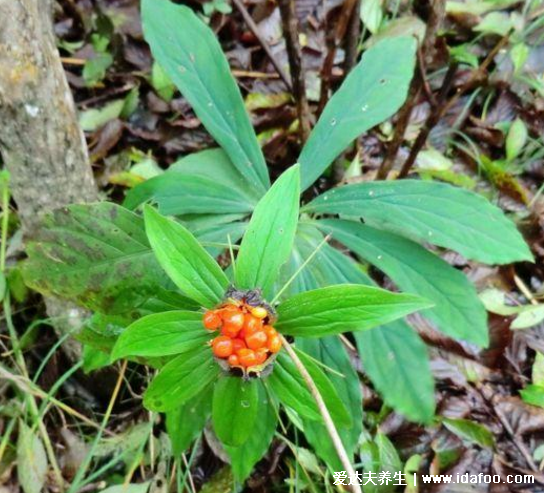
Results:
290 388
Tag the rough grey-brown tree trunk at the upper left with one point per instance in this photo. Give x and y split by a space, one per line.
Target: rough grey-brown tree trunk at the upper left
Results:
41 143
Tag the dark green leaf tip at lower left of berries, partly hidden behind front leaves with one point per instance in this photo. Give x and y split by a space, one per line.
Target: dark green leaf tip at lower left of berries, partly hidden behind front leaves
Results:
186 422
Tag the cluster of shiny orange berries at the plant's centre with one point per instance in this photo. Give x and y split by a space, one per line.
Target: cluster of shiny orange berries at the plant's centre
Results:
246 338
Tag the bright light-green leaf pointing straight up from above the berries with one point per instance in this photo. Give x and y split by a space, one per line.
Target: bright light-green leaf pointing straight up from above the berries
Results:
269 237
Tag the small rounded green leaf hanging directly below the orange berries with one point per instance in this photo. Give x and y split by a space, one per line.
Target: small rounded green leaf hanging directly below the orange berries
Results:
235 409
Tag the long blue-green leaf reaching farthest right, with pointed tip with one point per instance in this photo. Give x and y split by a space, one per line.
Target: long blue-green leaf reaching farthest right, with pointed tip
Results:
430 212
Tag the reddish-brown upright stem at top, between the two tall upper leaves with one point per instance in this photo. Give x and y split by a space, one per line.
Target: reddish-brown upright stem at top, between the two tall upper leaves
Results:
294 54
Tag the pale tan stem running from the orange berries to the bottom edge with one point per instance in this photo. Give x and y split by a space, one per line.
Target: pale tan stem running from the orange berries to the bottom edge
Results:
329 424
